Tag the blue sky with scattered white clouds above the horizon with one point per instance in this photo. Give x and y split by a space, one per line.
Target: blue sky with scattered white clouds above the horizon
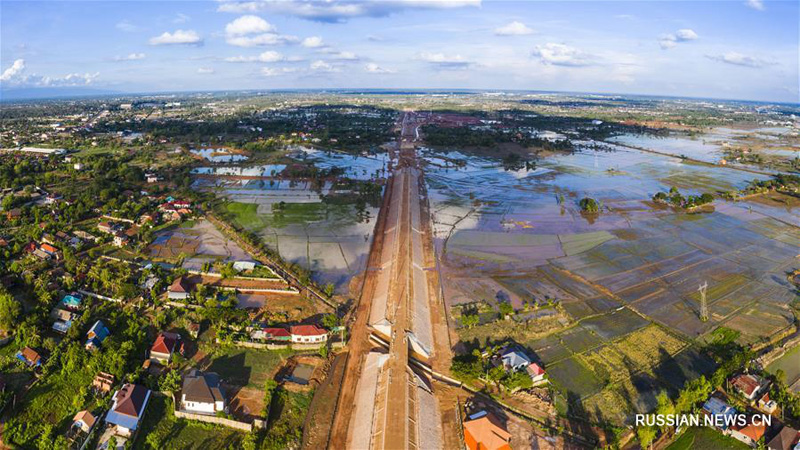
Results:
737 49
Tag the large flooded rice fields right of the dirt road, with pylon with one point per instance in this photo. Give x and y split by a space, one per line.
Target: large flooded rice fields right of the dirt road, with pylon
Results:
627 278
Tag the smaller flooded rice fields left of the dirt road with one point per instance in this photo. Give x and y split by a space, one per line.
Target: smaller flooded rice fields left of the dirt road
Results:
316 224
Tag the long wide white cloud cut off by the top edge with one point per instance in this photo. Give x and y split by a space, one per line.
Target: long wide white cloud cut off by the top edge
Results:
339 10
